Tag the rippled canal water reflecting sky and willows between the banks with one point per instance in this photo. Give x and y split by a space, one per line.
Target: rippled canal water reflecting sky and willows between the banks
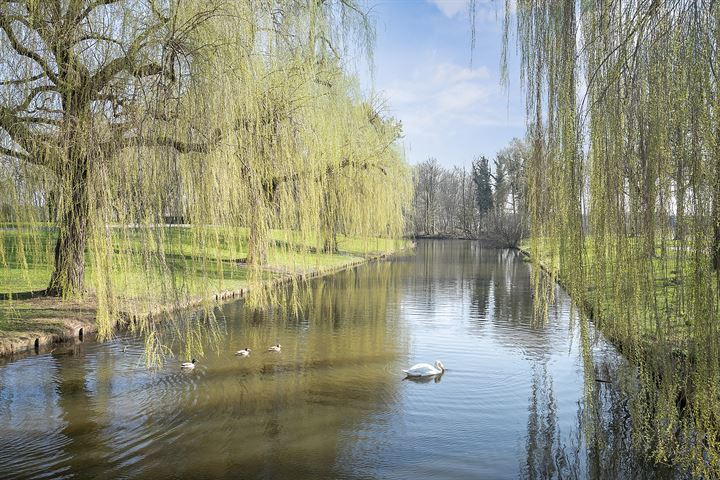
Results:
333 403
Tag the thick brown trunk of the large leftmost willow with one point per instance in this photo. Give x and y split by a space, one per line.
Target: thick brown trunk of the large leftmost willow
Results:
69 276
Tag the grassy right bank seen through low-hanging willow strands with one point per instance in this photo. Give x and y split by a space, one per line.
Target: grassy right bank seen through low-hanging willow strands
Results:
660 309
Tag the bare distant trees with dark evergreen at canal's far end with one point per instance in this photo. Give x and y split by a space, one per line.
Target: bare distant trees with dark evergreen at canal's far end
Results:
485 201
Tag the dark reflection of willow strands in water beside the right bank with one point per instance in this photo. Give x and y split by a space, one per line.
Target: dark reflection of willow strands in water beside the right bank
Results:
599 445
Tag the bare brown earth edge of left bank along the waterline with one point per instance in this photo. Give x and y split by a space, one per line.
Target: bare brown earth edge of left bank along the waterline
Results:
83 323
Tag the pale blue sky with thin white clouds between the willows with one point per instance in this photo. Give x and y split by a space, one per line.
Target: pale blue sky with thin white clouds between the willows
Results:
450 110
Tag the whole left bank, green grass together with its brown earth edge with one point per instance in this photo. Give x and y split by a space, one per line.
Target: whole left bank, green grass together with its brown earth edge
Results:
180 273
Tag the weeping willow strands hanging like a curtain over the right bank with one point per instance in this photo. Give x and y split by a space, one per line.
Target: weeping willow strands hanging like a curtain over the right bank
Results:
624 195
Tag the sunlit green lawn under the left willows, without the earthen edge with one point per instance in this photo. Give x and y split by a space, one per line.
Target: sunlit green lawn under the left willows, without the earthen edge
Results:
180 260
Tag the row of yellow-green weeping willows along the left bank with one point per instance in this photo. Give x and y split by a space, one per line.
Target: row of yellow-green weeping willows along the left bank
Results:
241 119
